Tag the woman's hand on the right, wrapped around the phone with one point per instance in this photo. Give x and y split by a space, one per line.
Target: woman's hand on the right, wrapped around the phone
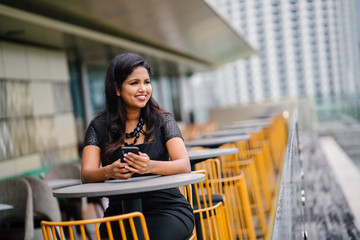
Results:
140 164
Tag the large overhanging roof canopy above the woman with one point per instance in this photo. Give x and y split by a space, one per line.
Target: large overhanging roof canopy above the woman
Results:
189 29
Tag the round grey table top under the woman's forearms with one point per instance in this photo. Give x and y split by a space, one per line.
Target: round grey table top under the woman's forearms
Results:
128 187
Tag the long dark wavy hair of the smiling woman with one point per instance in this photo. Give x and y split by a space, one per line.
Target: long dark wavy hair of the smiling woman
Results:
119 69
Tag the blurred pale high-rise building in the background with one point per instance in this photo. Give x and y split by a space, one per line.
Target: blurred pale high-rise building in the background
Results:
306 48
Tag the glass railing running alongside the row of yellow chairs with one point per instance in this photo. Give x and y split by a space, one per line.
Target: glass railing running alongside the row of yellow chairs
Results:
291 196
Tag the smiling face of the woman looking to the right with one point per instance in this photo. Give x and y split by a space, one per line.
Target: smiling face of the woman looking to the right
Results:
136 89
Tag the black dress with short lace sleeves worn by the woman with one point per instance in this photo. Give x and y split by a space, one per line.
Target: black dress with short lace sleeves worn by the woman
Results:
168 214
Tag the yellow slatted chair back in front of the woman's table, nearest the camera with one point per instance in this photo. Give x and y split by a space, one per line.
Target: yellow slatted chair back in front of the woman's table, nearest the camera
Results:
58 230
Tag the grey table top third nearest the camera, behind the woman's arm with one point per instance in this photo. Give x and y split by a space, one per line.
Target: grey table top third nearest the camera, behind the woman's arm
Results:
215 142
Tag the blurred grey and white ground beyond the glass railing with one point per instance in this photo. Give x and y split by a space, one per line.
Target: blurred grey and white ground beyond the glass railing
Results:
330 206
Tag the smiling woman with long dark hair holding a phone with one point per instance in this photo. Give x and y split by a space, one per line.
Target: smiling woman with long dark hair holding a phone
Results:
132 117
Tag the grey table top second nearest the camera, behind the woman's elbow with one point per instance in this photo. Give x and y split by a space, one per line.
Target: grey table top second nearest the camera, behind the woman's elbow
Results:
196 155
